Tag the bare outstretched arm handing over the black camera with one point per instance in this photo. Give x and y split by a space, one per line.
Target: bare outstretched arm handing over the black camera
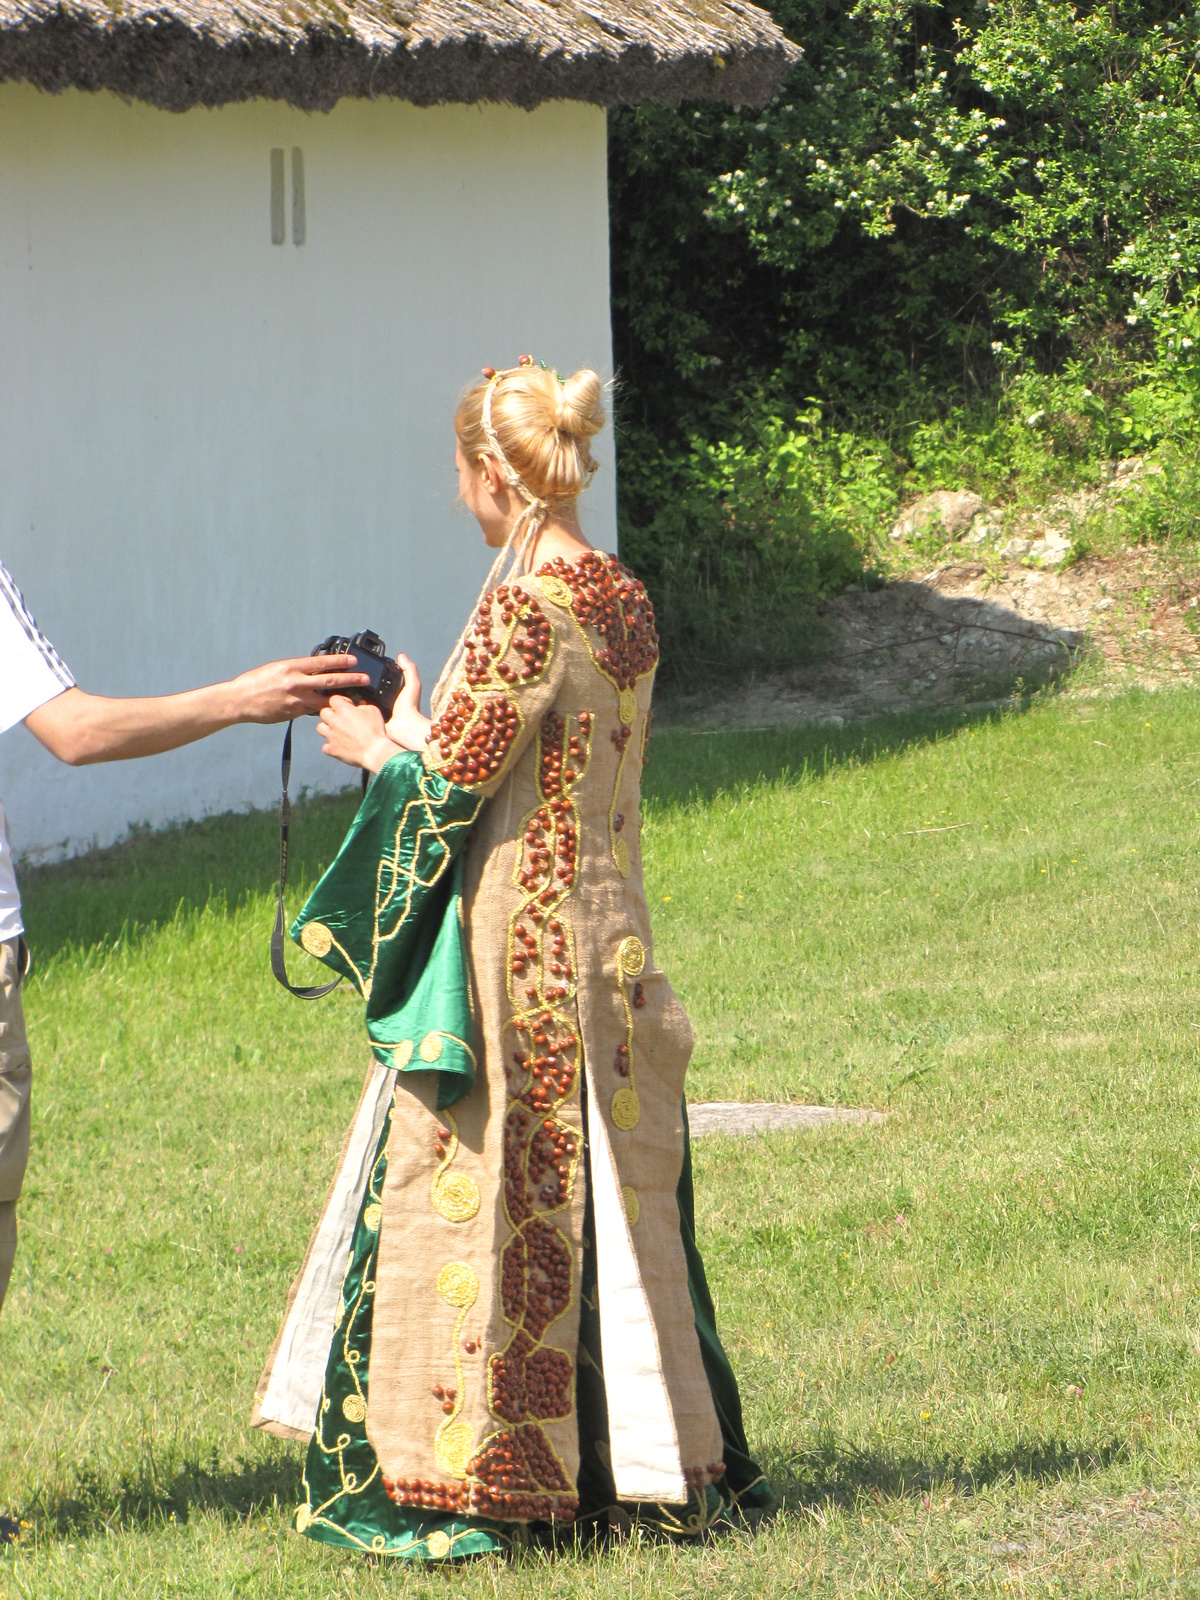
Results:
81 729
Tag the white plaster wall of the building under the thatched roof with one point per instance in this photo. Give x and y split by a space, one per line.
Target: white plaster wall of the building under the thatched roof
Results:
215 450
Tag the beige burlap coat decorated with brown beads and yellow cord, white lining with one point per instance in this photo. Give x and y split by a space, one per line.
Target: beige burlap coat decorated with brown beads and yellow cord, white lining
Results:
471 1399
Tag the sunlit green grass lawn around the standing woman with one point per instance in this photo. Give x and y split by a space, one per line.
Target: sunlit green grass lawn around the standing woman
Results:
967 1338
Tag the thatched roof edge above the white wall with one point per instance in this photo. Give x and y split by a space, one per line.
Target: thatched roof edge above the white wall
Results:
182 54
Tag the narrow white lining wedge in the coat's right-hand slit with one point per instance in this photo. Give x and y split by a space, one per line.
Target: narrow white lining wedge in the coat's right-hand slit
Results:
641 1425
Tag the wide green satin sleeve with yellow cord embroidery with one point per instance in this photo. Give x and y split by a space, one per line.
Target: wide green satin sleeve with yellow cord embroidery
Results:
388 916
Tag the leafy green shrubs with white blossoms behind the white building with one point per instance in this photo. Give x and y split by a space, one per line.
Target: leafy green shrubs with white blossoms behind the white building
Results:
969 231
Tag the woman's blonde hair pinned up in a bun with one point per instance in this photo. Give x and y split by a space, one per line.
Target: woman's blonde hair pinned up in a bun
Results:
543 426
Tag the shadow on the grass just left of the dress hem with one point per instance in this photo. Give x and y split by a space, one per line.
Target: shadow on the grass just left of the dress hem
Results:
150 1498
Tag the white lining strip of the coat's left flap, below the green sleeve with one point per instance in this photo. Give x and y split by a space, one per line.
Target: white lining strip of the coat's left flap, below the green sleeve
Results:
295 1390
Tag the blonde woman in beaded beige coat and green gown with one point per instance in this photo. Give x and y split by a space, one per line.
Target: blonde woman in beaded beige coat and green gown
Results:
502 1324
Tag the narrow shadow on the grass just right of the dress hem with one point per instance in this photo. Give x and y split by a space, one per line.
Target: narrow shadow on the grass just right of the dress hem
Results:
838 1473
